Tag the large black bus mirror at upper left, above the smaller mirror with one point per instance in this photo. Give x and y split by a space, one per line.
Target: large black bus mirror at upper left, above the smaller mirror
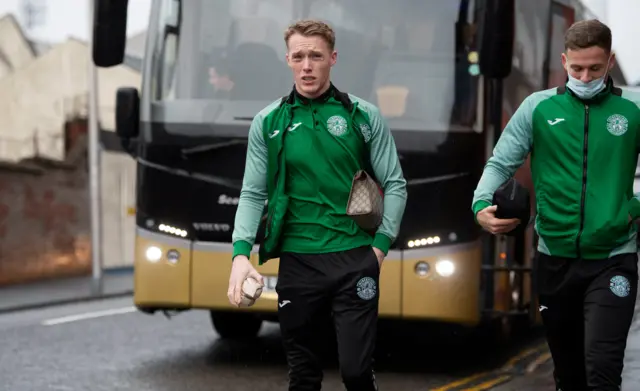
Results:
109 32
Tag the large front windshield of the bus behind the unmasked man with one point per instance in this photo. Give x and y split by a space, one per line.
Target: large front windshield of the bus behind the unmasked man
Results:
221 61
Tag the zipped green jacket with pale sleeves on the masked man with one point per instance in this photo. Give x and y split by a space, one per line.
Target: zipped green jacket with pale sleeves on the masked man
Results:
583 162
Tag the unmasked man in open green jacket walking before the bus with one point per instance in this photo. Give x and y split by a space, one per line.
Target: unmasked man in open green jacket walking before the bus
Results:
303 152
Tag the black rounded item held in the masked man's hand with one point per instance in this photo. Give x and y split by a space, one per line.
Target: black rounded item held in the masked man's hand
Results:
513 202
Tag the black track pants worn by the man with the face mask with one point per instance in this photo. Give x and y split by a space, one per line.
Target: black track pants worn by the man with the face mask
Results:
587 307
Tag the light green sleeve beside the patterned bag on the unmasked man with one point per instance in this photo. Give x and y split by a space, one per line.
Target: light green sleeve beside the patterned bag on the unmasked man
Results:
386 167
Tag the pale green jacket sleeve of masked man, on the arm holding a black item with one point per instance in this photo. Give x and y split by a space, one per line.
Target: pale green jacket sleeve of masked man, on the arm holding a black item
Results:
508 155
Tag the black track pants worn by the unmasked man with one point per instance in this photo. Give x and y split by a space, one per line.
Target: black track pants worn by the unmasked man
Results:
313 286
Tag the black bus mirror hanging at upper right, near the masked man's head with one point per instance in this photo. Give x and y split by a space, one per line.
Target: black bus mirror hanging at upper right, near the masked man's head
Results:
496 32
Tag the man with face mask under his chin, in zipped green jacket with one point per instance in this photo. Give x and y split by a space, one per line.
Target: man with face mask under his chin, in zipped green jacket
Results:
583 139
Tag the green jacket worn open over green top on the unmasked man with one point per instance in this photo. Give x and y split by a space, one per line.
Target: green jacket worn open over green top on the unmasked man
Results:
302 156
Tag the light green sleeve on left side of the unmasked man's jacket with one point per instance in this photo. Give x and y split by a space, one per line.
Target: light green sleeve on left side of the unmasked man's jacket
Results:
254 191
